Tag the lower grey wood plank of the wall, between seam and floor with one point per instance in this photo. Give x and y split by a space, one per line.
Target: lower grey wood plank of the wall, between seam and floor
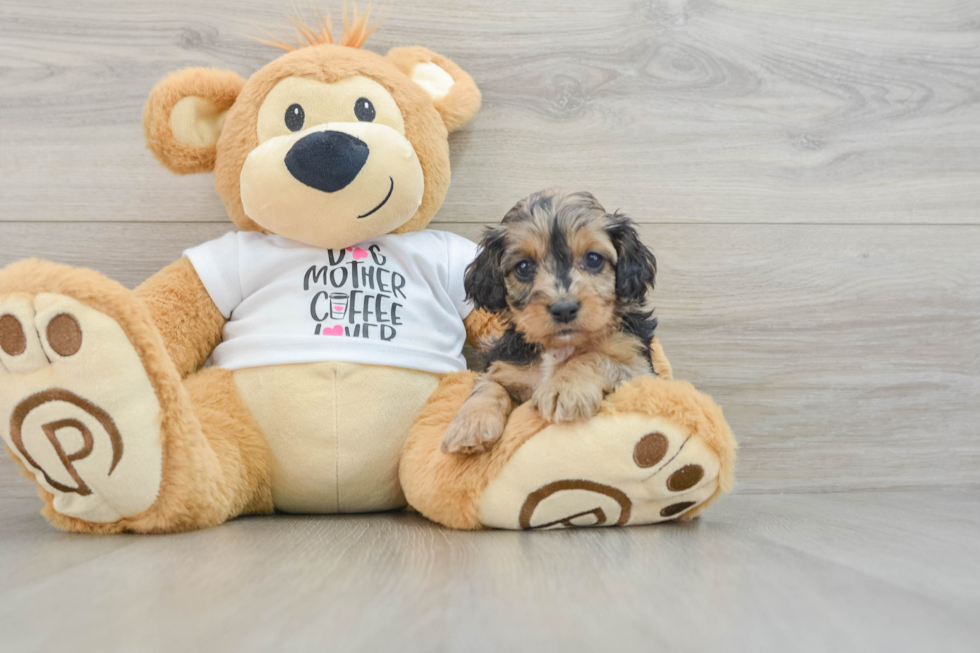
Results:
844 356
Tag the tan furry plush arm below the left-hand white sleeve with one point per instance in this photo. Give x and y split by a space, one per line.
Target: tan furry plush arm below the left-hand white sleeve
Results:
188 320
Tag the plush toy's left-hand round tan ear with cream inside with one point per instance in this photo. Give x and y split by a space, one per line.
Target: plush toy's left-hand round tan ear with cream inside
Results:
184 116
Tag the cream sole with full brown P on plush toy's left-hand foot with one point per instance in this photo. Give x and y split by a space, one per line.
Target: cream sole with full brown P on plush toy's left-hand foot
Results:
77 408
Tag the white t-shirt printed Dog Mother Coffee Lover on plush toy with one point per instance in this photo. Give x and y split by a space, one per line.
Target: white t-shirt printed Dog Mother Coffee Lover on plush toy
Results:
396 300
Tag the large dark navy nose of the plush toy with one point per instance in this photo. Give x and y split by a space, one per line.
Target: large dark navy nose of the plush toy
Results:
327 161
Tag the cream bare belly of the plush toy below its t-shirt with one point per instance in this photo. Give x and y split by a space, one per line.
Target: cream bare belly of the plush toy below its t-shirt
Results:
335 431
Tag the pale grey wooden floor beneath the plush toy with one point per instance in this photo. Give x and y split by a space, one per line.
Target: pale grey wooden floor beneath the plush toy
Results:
877 571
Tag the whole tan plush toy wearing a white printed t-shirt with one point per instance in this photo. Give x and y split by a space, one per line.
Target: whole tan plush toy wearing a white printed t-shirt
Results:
334 321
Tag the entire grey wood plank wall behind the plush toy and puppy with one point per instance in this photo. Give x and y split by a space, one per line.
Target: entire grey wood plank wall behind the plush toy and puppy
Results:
808 174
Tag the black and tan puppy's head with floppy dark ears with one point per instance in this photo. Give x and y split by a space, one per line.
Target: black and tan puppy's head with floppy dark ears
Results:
560 267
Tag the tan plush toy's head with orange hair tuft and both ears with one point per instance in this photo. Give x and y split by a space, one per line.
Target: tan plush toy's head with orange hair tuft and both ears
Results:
329 144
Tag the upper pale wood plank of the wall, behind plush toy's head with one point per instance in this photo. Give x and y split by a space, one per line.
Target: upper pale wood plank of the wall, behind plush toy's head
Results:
701 111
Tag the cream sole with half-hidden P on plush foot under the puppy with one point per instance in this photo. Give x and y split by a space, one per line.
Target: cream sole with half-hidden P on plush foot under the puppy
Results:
614 470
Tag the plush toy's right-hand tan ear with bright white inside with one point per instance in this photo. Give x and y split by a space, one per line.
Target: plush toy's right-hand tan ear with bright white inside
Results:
454 93
